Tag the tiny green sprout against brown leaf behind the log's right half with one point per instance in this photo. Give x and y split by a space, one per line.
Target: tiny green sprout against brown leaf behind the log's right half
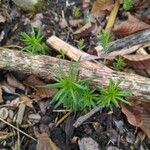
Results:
119 63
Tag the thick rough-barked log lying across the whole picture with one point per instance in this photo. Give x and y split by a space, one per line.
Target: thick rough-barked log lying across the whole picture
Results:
44 67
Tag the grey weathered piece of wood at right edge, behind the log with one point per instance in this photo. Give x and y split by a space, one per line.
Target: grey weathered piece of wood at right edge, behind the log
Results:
129 41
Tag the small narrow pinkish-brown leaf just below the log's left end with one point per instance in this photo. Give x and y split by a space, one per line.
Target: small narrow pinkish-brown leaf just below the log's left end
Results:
12 81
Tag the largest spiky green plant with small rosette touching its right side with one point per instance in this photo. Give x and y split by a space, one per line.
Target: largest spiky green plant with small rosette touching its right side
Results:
73 93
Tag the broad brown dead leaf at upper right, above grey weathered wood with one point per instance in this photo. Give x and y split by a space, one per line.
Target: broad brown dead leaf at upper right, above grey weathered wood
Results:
130 26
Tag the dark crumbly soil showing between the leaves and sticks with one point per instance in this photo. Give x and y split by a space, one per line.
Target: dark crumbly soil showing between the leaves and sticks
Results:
110 129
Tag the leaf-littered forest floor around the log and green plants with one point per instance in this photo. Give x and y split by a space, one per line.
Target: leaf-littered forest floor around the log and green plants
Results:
28 120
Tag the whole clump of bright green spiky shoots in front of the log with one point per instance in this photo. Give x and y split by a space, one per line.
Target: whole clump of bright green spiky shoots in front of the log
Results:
76 95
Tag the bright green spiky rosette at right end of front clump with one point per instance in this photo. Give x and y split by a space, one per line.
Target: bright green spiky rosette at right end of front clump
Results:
111 95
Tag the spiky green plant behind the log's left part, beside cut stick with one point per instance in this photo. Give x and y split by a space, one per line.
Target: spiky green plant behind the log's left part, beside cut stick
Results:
34 43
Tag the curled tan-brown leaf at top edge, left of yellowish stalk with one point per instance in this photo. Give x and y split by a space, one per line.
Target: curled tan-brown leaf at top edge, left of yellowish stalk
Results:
101 7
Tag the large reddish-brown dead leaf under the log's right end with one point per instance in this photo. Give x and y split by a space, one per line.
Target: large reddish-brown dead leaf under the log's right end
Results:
138 114
